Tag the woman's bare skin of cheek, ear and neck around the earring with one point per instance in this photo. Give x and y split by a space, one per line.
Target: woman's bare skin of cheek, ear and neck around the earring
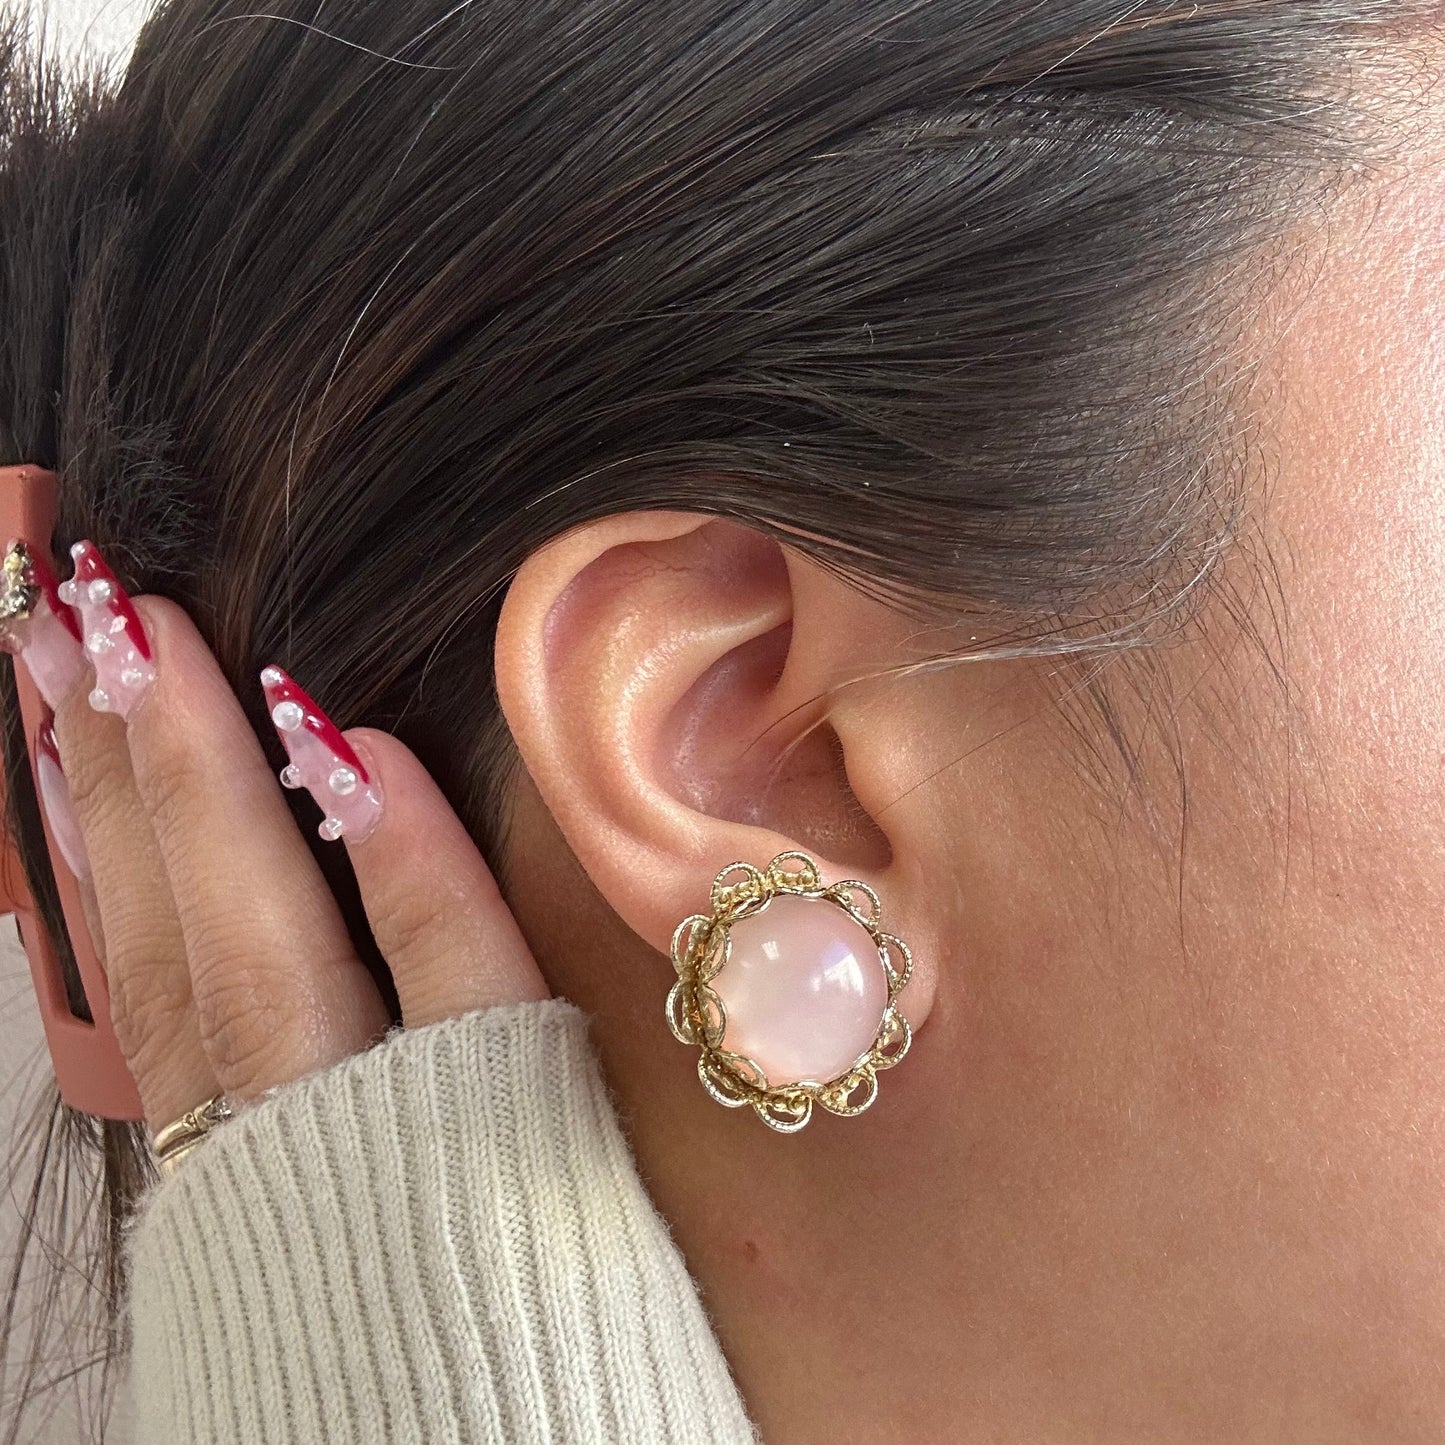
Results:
1174 1126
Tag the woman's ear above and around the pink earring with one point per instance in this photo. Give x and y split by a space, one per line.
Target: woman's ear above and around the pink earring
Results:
665 678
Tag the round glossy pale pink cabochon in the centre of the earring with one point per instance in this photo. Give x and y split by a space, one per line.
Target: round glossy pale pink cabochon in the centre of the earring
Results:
804 989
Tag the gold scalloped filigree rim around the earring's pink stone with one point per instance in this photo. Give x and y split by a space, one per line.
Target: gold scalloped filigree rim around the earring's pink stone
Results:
697 1017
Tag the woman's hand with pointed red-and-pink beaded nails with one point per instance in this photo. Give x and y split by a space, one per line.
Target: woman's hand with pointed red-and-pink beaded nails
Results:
229 965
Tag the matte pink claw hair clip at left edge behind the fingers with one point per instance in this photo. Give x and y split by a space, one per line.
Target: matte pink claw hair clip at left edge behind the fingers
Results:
90 1069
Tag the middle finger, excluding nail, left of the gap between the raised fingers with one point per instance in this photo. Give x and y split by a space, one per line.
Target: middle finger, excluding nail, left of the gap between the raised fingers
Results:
278 986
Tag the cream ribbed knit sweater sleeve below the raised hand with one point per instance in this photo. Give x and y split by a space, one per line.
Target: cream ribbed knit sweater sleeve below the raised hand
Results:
440 1241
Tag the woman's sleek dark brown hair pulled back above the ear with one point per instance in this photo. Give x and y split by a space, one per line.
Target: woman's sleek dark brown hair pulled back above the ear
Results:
329 326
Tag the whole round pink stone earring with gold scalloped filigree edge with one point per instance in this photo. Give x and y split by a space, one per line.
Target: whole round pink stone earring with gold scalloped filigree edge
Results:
790 989
